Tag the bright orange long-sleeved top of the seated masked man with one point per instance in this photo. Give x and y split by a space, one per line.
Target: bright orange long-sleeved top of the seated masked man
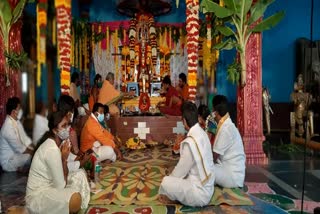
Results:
93 131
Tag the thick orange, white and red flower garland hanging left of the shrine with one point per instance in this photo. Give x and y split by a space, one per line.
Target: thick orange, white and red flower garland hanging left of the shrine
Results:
63 11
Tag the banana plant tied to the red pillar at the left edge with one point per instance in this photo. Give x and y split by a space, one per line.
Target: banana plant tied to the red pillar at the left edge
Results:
7 18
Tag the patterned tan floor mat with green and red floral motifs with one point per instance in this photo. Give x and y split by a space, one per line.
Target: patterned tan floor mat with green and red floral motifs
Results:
136 180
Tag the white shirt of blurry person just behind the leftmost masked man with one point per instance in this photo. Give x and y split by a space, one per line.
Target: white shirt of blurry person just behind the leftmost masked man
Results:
40 126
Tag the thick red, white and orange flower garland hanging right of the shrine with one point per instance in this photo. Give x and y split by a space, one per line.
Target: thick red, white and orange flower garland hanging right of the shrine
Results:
192 27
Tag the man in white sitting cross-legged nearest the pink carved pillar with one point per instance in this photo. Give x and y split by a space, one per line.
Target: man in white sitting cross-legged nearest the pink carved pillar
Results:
228 152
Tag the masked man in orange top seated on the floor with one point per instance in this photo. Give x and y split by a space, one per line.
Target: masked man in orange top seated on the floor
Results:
94 136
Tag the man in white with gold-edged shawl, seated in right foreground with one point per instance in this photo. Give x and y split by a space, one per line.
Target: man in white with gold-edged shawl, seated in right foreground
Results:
192 180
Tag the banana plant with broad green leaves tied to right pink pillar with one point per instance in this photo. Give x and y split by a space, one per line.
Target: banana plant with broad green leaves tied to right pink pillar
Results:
239 19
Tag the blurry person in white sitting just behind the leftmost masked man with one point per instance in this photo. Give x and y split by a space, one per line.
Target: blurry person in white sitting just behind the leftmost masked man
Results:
40 123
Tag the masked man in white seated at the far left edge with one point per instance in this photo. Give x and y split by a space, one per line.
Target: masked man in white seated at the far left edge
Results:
16 147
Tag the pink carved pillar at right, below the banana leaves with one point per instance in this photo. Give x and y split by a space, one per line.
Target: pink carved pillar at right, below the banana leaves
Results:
249 104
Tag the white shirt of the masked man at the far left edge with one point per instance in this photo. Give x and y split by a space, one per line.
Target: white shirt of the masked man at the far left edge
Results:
15 138
